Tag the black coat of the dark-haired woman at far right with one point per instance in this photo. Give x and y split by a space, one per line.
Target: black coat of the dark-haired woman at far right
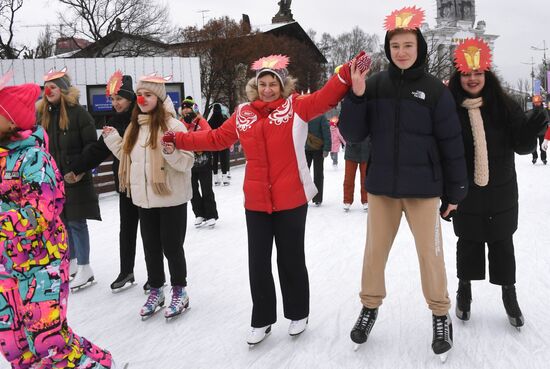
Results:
490 213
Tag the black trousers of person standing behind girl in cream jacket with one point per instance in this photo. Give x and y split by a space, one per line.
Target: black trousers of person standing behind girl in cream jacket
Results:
129 218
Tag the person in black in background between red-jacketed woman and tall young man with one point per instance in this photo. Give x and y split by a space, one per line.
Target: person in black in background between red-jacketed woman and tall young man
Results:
318 145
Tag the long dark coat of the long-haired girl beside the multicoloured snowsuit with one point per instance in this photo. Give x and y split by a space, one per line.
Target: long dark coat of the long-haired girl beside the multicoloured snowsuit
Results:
66 146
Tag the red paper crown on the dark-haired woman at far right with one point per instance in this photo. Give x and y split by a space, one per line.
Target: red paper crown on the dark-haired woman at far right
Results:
472 54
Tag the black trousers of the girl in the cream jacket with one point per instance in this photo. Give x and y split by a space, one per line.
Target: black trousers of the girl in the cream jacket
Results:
163 232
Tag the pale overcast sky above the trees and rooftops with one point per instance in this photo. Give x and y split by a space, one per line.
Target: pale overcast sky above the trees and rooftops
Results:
520 24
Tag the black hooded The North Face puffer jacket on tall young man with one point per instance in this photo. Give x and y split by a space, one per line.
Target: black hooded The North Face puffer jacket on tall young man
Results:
416 143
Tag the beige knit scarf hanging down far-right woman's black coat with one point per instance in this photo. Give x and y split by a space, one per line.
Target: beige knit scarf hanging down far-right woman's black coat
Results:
481 158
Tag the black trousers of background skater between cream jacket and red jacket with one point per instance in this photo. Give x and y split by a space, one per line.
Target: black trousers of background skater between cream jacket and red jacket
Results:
203 201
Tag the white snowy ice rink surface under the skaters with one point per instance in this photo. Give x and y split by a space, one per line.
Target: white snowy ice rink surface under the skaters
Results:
212 333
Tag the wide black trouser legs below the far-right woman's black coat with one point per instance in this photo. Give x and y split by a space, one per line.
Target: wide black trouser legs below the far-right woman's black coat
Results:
470 260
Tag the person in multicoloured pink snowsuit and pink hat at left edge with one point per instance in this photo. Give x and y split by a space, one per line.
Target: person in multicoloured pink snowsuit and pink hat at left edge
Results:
34 260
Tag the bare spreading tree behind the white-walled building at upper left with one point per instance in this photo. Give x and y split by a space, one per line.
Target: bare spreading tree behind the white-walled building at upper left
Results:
94 19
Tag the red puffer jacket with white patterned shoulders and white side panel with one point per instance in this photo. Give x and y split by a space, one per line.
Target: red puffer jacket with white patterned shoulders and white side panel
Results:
276 177
